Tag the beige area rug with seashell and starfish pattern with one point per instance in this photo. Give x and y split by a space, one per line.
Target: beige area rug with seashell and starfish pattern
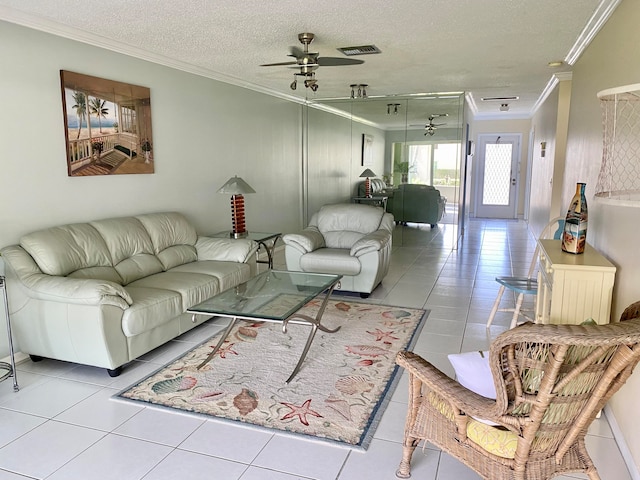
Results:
339 394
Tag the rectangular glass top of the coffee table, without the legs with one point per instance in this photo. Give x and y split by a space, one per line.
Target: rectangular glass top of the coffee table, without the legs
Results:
273 295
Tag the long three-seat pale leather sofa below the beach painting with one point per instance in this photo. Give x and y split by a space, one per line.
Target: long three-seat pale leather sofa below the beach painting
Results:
105 292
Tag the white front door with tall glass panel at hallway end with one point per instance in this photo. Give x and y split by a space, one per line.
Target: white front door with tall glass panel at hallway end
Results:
497 180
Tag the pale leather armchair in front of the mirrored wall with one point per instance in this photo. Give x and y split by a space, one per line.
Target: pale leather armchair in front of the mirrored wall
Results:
352 240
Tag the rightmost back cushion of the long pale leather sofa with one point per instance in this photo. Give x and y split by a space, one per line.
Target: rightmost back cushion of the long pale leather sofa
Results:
173 238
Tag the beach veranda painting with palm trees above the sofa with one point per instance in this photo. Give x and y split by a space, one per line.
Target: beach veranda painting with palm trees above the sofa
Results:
107 126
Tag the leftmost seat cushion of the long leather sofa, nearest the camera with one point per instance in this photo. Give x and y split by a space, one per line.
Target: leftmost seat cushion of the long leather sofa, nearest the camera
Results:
151 308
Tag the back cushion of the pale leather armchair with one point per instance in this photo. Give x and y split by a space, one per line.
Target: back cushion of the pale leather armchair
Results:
342 225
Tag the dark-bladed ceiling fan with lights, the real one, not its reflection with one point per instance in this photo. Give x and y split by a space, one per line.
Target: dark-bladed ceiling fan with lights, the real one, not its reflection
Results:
308 62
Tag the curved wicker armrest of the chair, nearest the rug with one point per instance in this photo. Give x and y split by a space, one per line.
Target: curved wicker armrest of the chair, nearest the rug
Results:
462 398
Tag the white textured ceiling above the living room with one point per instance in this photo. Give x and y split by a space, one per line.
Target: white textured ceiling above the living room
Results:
485 48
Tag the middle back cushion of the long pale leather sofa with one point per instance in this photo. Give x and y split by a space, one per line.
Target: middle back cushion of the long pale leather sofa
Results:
130 246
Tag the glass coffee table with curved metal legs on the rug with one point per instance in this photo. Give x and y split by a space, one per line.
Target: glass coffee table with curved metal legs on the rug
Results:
273 296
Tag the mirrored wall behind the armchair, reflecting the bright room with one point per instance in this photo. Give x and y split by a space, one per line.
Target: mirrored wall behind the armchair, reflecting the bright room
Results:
416 139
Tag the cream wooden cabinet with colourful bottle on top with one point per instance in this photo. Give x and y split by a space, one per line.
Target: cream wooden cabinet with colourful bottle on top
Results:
572 288
